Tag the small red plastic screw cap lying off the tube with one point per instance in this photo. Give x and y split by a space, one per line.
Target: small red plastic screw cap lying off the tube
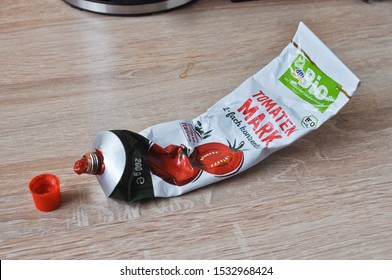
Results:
45 189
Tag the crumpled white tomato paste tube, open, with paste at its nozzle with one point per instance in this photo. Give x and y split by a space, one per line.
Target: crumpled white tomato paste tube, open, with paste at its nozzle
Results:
294 94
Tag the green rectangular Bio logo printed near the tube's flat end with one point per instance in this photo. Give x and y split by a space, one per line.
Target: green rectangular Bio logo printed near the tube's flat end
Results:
311 84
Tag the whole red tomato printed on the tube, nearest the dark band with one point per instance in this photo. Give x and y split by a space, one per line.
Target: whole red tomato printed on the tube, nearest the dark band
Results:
172 164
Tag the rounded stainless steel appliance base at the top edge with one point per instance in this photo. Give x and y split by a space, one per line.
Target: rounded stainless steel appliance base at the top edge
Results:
126 7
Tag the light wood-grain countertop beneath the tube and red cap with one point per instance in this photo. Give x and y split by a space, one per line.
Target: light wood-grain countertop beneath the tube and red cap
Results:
68 74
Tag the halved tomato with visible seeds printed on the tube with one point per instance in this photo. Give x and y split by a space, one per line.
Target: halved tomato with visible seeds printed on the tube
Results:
217 158
